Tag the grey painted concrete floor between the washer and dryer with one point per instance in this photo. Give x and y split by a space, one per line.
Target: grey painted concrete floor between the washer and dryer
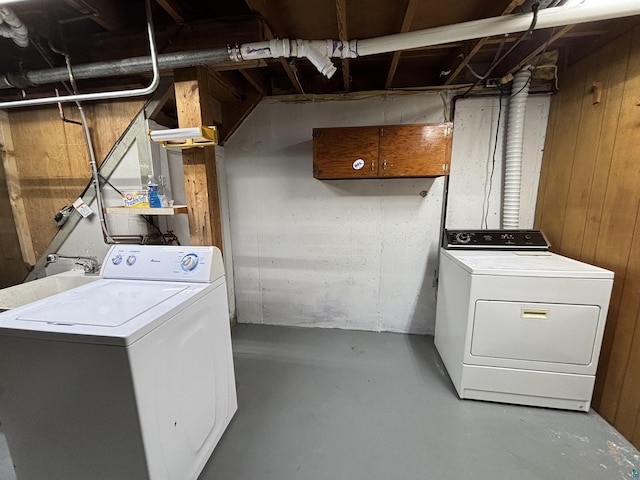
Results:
331 404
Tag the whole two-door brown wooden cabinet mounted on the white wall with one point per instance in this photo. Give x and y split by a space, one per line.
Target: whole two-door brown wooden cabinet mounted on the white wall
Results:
389 151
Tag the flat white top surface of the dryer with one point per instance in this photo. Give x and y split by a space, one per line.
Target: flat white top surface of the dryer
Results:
522 263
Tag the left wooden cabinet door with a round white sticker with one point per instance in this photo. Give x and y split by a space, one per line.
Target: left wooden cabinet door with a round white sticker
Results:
350 152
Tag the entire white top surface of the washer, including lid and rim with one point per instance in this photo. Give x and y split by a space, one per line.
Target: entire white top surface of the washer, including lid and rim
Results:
109 312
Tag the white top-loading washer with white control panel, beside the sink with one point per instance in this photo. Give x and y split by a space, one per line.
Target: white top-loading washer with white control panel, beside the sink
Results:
128 377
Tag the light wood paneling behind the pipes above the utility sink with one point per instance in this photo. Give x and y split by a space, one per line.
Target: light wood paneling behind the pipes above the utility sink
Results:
52 162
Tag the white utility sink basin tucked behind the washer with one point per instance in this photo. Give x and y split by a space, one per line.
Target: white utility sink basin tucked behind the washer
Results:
24 293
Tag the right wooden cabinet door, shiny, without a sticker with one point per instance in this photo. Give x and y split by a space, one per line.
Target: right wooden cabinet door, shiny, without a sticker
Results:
415 150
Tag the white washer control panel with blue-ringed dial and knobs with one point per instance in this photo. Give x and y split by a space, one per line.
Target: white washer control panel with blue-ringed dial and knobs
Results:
163 262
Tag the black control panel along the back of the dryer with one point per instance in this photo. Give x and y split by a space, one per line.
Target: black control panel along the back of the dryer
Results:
495 240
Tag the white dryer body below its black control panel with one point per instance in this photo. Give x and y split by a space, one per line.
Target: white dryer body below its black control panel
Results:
521 327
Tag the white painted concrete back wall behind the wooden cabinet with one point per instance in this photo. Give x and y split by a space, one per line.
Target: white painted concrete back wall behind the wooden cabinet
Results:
356 254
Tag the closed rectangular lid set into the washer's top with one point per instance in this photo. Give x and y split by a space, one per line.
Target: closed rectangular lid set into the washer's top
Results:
110 304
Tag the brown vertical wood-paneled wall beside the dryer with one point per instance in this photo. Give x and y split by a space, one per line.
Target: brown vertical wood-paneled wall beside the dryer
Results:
588 205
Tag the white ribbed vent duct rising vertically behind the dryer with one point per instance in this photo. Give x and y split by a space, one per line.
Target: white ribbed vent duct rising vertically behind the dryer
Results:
514 151
